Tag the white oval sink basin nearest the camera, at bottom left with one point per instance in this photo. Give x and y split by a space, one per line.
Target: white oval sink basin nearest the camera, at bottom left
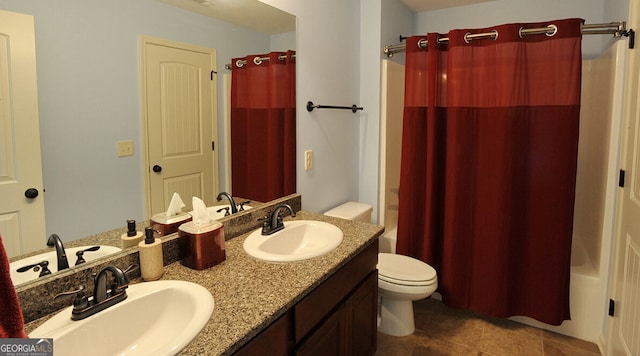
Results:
157 318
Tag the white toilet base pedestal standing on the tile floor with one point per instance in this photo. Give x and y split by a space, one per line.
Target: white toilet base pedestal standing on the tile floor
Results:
396 317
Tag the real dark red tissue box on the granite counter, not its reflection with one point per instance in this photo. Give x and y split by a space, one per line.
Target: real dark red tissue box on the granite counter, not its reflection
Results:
202 246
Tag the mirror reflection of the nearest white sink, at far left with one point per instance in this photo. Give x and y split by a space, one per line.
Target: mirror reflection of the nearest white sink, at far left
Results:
22 277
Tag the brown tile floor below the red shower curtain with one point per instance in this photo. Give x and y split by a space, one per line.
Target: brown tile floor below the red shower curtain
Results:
442 331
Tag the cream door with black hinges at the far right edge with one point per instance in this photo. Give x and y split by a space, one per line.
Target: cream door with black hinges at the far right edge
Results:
623 330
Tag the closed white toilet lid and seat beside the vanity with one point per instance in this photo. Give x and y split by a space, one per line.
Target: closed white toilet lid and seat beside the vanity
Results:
399 268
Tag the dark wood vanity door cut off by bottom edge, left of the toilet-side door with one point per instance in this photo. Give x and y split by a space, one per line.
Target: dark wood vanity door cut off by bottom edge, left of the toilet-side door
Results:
328 339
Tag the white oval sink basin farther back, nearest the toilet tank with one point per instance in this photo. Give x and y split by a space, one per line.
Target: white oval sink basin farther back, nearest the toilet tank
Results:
299 240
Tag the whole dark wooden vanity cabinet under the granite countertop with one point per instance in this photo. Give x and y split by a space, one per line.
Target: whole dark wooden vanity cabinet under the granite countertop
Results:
339 317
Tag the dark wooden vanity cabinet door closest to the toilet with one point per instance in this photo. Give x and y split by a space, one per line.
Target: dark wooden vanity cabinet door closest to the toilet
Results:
361 316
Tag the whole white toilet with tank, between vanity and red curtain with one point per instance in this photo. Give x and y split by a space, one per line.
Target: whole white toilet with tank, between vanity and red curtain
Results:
401 279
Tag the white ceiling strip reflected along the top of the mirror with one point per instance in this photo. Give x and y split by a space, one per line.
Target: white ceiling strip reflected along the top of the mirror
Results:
252 14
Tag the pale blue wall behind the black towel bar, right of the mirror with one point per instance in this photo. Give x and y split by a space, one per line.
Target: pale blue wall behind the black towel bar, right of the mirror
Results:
328 73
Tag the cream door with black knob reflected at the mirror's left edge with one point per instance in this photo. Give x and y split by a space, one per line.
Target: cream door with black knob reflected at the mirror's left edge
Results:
22 223
